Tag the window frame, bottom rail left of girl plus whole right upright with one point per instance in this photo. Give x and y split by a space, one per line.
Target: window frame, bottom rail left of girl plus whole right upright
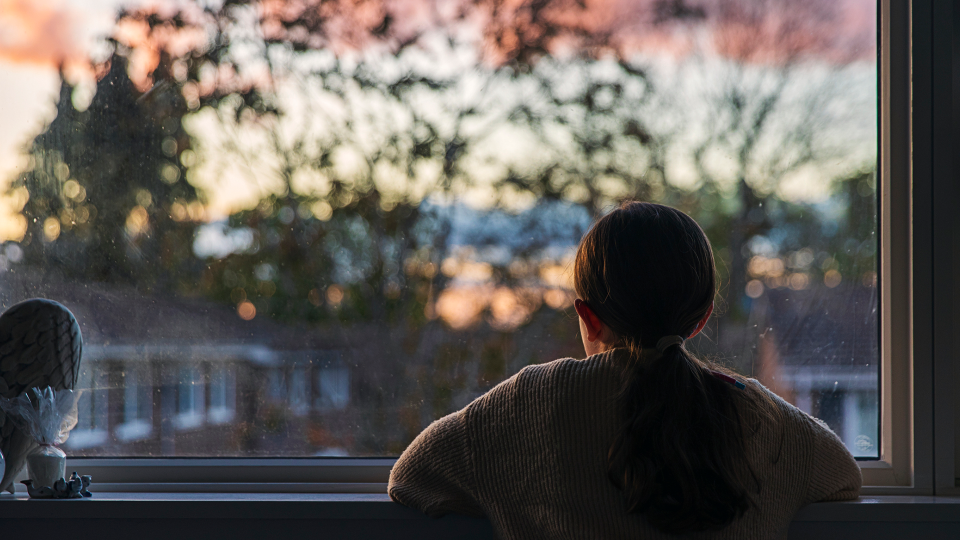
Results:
907 178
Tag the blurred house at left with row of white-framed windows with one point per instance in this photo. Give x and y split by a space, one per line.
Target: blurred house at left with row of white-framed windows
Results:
188 377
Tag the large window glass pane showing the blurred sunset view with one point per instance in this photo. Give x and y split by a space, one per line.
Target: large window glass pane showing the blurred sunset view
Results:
293 231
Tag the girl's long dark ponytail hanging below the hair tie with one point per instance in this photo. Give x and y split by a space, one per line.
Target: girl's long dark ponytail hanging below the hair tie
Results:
679 456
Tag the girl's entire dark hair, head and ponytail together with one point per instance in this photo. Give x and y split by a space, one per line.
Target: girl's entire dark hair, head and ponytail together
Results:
647 271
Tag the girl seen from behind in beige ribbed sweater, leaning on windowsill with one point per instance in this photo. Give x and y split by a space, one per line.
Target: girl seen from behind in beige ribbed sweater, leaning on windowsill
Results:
641 439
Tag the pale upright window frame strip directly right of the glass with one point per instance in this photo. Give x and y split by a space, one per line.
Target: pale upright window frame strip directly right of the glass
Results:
894 469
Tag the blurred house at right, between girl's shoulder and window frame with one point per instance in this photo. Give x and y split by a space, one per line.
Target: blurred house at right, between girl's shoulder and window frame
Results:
819 349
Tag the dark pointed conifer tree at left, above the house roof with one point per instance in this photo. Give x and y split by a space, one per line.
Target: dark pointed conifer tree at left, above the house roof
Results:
101 185
